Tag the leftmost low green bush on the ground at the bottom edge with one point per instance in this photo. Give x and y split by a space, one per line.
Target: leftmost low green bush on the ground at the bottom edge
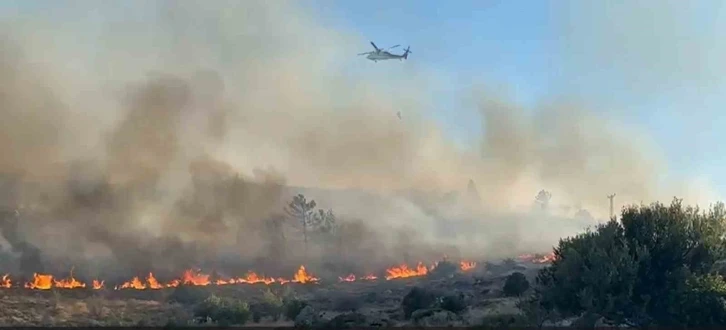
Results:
223 311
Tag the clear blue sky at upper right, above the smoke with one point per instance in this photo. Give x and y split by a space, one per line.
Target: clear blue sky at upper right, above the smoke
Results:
651 64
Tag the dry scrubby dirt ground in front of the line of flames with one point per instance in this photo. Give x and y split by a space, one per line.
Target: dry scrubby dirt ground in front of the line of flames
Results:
363 303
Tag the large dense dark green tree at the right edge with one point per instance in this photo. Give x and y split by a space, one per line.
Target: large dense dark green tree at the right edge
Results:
653 268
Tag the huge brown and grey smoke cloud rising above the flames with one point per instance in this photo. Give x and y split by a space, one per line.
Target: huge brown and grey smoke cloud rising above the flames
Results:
173 142
